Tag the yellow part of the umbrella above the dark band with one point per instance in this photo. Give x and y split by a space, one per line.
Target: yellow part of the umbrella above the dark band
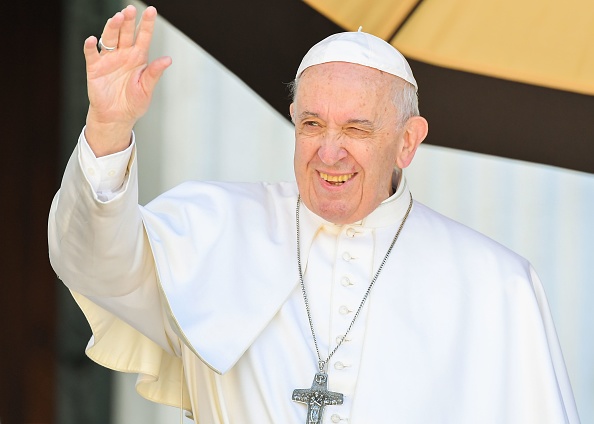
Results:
541 42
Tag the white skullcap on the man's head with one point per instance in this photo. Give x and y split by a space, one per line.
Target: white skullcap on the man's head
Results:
360 48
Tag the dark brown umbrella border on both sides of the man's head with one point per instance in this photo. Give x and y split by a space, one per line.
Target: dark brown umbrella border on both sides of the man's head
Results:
263 41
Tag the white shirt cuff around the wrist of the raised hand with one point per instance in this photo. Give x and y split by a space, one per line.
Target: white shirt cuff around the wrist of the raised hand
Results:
105 174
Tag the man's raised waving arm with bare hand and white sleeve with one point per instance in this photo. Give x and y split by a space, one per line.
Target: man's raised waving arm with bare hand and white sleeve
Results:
97 243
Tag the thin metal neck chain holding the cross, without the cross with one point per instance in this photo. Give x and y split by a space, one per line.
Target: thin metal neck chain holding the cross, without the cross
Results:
322 363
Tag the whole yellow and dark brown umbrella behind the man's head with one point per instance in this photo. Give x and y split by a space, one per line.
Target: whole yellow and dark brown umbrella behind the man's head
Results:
512 79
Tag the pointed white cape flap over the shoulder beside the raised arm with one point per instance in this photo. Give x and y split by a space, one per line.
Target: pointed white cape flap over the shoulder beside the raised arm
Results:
194 232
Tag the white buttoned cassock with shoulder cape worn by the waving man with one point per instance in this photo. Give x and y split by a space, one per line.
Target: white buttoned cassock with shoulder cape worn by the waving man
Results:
456 329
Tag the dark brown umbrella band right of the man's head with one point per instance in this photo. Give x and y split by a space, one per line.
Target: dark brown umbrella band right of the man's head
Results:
504 118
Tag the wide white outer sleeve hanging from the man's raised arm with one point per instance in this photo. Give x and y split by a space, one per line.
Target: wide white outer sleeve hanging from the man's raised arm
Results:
100 250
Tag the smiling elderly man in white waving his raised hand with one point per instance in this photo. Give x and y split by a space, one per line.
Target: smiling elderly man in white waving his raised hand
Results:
335 299
